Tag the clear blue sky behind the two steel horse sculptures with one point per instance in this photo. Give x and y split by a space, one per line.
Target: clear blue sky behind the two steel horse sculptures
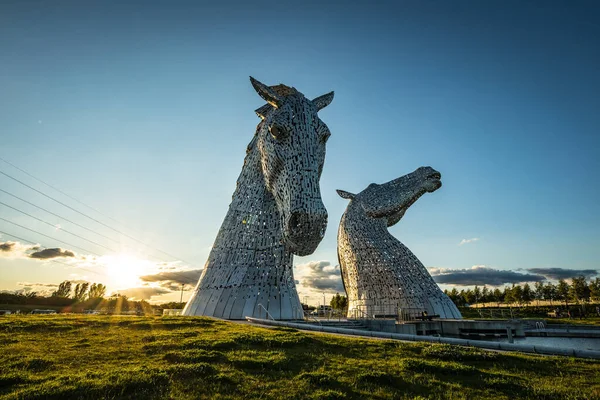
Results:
144 110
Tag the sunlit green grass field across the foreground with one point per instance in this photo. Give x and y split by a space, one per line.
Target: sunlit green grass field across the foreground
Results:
71 357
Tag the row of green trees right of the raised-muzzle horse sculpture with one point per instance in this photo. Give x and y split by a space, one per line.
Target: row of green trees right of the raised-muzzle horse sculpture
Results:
579 291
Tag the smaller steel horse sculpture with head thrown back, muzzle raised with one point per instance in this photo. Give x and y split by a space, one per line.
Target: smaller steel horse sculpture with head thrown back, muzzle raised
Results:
380 274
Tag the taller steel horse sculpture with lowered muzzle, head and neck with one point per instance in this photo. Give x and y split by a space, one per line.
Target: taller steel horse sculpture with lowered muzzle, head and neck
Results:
276 212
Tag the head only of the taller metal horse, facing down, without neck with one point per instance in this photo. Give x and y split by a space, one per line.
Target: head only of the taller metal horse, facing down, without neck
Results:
291 140
